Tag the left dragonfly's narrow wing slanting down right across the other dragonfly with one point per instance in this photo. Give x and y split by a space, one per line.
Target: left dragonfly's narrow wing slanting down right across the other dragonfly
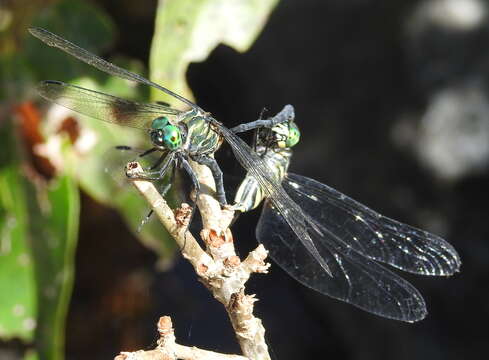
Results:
299 223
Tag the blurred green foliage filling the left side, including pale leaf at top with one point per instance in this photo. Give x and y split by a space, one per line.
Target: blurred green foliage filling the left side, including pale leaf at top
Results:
48 153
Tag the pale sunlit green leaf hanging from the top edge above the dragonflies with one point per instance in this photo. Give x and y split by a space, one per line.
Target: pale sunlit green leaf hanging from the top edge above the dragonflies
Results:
188 30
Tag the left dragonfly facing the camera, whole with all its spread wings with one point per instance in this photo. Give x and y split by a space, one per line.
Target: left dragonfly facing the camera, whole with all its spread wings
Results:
178 135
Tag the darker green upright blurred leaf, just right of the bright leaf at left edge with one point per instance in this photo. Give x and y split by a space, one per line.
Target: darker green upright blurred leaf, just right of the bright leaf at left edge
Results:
53 225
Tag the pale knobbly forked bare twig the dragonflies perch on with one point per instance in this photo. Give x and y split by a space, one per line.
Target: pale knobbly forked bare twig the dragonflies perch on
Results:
219 269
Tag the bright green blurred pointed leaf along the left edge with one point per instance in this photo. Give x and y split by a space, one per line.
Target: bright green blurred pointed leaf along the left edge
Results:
17 282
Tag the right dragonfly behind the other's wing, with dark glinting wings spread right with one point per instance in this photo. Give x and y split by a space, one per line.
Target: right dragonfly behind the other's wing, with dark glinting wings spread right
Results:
353 239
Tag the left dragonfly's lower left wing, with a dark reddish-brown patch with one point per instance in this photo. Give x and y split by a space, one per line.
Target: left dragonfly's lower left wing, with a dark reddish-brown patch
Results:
103 106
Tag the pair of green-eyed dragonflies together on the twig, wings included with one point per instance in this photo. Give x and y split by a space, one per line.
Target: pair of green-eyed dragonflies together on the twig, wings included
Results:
322 238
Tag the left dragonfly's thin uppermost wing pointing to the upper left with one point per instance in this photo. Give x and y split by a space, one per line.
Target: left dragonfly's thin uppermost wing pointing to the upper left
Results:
74 50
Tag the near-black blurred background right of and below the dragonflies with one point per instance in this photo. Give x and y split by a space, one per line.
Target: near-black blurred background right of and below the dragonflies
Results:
392 102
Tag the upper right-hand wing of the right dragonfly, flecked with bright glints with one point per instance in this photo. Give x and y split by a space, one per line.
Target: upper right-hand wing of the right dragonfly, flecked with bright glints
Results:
369 233
